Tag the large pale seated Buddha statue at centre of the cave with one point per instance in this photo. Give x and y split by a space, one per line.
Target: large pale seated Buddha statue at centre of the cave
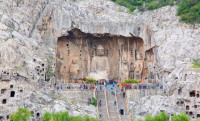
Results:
100 68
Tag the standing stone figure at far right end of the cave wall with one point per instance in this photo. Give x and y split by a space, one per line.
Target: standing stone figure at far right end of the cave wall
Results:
138 67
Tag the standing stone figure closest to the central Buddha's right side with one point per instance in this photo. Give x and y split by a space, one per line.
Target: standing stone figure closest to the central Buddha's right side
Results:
124 69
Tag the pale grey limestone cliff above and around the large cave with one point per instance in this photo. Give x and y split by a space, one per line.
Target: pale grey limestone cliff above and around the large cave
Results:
29 31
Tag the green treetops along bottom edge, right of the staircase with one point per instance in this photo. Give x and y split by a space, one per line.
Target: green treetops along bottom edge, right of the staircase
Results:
164 117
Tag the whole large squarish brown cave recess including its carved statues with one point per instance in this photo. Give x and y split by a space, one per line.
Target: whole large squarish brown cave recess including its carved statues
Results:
81 54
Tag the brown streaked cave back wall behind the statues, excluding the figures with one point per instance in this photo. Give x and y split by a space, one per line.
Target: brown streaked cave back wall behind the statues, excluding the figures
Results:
83 46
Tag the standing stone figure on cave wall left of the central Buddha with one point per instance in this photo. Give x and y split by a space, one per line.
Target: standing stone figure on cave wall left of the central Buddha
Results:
74 69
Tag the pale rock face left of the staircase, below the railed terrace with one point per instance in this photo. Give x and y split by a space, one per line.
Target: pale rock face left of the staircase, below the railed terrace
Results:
19 93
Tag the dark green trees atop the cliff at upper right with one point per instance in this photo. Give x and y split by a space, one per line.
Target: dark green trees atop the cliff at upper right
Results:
188 10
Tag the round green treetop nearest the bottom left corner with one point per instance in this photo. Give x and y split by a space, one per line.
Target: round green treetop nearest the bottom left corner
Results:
21 115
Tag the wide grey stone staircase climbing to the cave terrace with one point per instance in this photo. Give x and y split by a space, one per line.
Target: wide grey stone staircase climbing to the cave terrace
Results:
113 110
